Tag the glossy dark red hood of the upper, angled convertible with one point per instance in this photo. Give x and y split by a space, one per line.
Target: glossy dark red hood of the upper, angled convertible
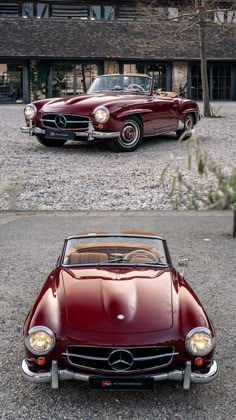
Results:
73 104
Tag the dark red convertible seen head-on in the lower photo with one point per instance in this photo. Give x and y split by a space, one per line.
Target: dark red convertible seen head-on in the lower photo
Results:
116 314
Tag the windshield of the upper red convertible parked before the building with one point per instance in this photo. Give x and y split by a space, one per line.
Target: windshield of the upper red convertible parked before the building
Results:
137 84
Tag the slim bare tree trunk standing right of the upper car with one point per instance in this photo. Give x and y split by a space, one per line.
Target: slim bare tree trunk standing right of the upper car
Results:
205 89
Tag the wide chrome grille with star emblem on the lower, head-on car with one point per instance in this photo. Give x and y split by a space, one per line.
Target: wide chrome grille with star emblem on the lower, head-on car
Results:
104 358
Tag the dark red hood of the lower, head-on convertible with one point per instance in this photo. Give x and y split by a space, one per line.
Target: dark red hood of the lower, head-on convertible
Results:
115 301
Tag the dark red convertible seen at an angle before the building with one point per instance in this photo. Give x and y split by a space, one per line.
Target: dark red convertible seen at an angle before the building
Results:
121 109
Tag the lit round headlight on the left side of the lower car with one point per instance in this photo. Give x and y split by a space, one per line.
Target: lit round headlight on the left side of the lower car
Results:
40 340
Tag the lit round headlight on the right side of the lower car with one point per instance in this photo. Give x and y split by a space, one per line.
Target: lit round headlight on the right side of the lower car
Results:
199 341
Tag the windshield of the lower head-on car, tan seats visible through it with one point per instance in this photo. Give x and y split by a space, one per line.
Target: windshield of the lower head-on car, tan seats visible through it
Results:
96 249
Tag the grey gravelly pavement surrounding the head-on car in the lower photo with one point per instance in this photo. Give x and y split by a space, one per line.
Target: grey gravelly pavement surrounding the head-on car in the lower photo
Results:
30 243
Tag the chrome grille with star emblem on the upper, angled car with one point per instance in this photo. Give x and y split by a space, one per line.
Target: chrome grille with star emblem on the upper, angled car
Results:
72 122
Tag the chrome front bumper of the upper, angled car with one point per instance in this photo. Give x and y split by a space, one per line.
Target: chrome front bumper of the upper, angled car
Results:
91 133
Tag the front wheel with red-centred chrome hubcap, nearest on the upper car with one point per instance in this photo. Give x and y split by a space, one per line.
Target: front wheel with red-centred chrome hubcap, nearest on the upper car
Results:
131 136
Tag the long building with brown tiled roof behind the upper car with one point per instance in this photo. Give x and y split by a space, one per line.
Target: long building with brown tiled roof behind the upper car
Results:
51 48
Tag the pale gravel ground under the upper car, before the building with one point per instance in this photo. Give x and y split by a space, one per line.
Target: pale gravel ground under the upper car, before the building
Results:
91 177
